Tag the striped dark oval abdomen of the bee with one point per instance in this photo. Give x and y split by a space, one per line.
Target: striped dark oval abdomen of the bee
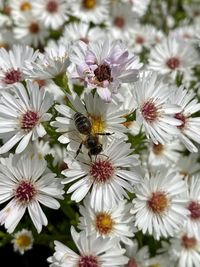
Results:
82 123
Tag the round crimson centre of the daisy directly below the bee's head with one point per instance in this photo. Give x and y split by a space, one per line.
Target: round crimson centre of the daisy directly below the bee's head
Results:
101 171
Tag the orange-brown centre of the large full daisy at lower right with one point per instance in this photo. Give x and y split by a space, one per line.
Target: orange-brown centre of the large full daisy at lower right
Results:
158 202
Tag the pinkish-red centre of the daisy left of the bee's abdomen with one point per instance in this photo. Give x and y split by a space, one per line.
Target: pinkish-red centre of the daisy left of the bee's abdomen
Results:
29 120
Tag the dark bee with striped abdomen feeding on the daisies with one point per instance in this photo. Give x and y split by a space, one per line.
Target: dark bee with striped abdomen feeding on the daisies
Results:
84 126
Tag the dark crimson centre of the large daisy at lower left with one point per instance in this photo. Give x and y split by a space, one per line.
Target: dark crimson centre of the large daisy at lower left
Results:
25 192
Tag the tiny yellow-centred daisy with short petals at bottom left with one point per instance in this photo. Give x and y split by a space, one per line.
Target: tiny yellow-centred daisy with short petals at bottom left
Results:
23 241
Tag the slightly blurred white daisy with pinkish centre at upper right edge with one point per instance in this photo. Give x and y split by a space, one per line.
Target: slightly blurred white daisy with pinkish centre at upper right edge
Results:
173 55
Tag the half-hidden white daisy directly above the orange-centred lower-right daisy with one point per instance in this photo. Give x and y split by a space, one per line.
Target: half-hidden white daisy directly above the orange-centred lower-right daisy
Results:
165 154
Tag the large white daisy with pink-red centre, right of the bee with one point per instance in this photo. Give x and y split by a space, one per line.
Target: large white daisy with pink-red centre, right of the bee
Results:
153 110
